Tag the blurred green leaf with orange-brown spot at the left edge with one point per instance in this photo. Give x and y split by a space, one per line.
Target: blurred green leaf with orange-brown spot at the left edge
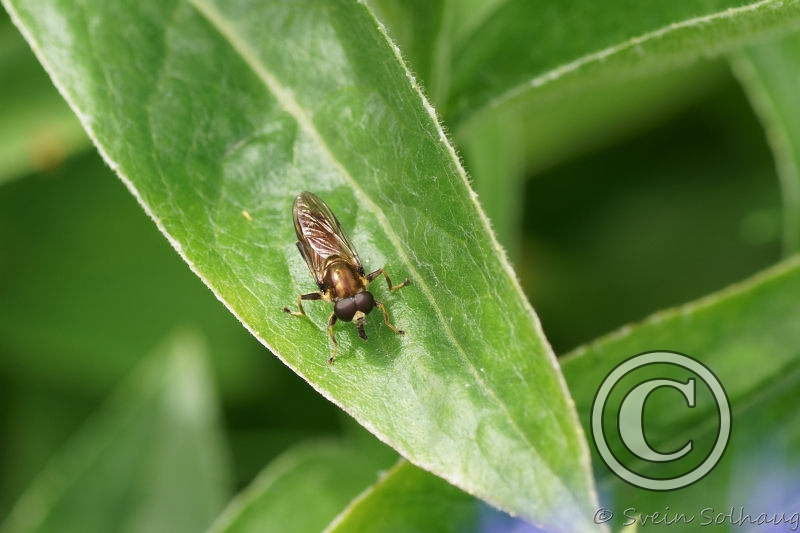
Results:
38 129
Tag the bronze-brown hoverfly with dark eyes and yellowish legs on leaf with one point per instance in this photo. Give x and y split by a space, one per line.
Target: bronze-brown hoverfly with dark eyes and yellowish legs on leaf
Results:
334 262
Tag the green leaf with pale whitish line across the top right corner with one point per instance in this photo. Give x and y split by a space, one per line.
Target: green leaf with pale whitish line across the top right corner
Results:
519 47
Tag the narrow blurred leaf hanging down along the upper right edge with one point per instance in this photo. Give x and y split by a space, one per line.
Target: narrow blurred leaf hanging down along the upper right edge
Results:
770 73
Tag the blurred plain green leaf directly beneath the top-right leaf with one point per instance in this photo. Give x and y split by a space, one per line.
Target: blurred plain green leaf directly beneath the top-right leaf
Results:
504 148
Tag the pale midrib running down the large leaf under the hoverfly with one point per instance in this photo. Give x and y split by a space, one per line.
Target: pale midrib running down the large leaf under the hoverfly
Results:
284 97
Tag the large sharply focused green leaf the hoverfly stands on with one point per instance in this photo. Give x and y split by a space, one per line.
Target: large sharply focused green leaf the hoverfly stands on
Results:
216 115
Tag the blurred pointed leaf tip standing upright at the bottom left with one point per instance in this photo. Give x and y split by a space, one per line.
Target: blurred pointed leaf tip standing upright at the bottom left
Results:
150 460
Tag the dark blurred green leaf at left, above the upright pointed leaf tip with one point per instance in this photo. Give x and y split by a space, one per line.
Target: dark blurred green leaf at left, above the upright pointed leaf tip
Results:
87 285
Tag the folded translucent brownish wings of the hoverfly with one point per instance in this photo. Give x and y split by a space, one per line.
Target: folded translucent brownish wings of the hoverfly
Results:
319 235
